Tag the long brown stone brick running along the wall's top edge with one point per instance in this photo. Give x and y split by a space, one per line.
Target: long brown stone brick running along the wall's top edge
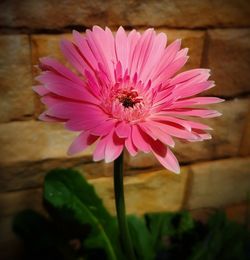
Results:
179 14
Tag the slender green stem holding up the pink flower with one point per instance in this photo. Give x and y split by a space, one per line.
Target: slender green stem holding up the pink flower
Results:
120 208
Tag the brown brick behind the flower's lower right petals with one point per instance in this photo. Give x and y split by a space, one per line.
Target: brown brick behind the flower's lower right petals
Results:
226 138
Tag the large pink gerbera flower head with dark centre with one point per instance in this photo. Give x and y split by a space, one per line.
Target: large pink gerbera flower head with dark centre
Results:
127 94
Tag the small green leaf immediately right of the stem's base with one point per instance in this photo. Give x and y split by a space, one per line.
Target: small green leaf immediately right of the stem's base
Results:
141 238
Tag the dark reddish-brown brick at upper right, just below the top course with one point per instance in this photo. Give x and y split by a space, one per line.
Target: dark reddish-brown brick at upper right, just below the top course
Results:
228 56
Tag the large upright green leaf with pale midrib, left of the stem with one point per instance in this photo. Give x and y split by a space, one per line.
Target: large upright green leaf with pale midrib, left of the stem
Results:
74 200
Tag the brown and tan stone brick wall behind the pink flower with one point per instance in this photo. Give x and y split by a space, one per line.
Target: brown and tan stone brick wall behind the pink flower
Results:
215 173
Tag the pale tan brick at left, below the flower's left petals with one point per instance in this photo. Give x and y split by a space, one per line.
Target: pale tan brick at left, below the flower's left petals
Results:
30 141
